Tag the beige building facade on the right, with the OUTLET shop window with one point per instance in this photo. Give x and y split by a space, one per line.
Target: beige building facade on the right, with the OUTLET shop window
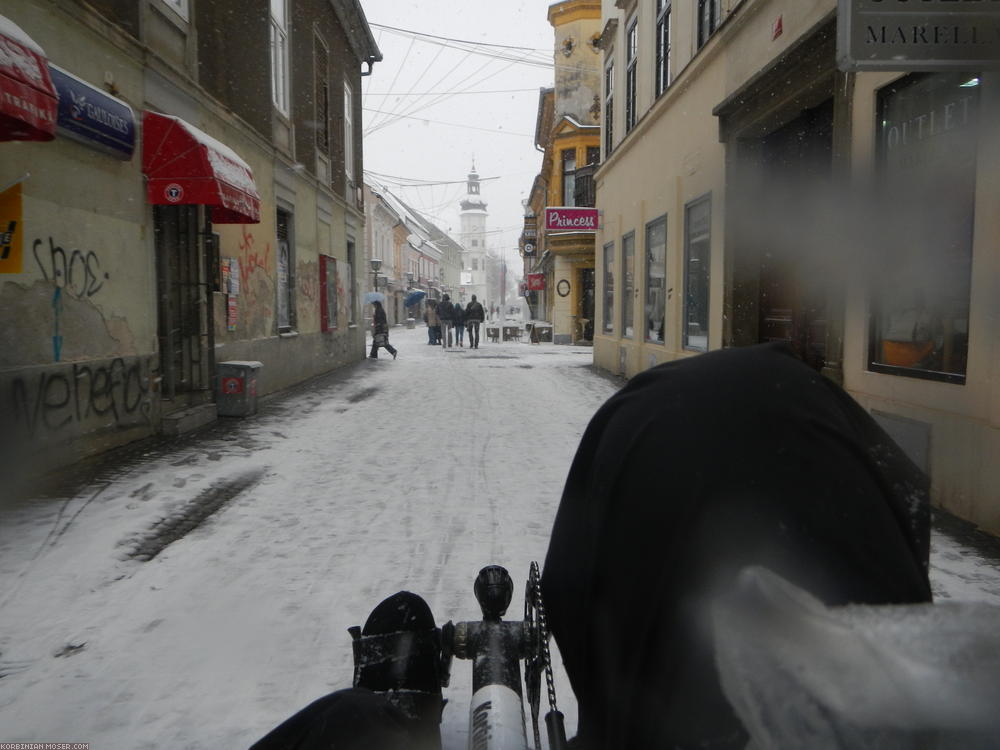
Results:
751 191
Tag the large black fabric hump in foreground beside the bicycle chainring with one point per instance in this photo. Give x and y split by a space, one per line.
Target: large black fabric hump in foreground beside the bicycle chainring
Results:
692 471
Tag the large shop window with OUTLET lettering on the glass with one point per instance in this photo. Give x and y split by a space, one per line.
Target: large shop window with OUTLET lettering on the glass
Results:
926 150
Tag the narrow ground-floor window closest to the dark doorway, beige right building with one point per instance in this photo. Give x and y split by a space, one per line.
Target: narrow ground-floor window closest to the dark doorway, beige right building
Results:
697 261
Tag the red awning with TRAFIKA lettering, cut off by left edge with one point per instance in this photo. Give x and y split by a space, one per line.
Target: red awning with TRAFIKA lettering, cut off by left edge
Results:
28 101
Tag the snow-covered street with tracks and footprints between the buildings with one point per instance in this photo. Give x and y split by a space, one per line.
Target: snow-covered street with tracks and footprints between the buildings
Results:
198 594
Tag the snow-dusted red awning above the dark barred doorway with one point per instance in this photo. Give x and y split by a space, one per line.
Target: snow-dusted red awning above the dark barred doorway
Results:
184 165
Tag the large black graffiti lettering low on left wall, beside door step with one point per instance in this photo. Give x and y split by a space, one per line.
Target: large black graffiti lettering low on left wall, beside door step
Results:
52 401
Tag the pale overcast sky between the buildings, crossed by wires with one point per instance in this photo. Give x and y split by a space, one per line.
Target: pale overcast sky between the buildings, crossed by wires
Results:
423 121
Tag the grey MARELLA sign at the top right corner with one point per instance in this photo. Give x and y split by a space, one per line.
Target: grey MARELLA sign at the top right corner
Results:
918 35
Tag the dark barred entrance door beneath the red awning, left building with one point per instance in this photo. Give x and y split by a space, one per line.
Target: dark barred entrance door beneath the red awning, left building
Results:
185 335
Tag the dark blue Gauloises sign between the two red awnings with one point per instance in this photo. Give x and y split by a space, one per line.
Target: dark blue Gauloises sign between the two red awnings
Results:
95 119
